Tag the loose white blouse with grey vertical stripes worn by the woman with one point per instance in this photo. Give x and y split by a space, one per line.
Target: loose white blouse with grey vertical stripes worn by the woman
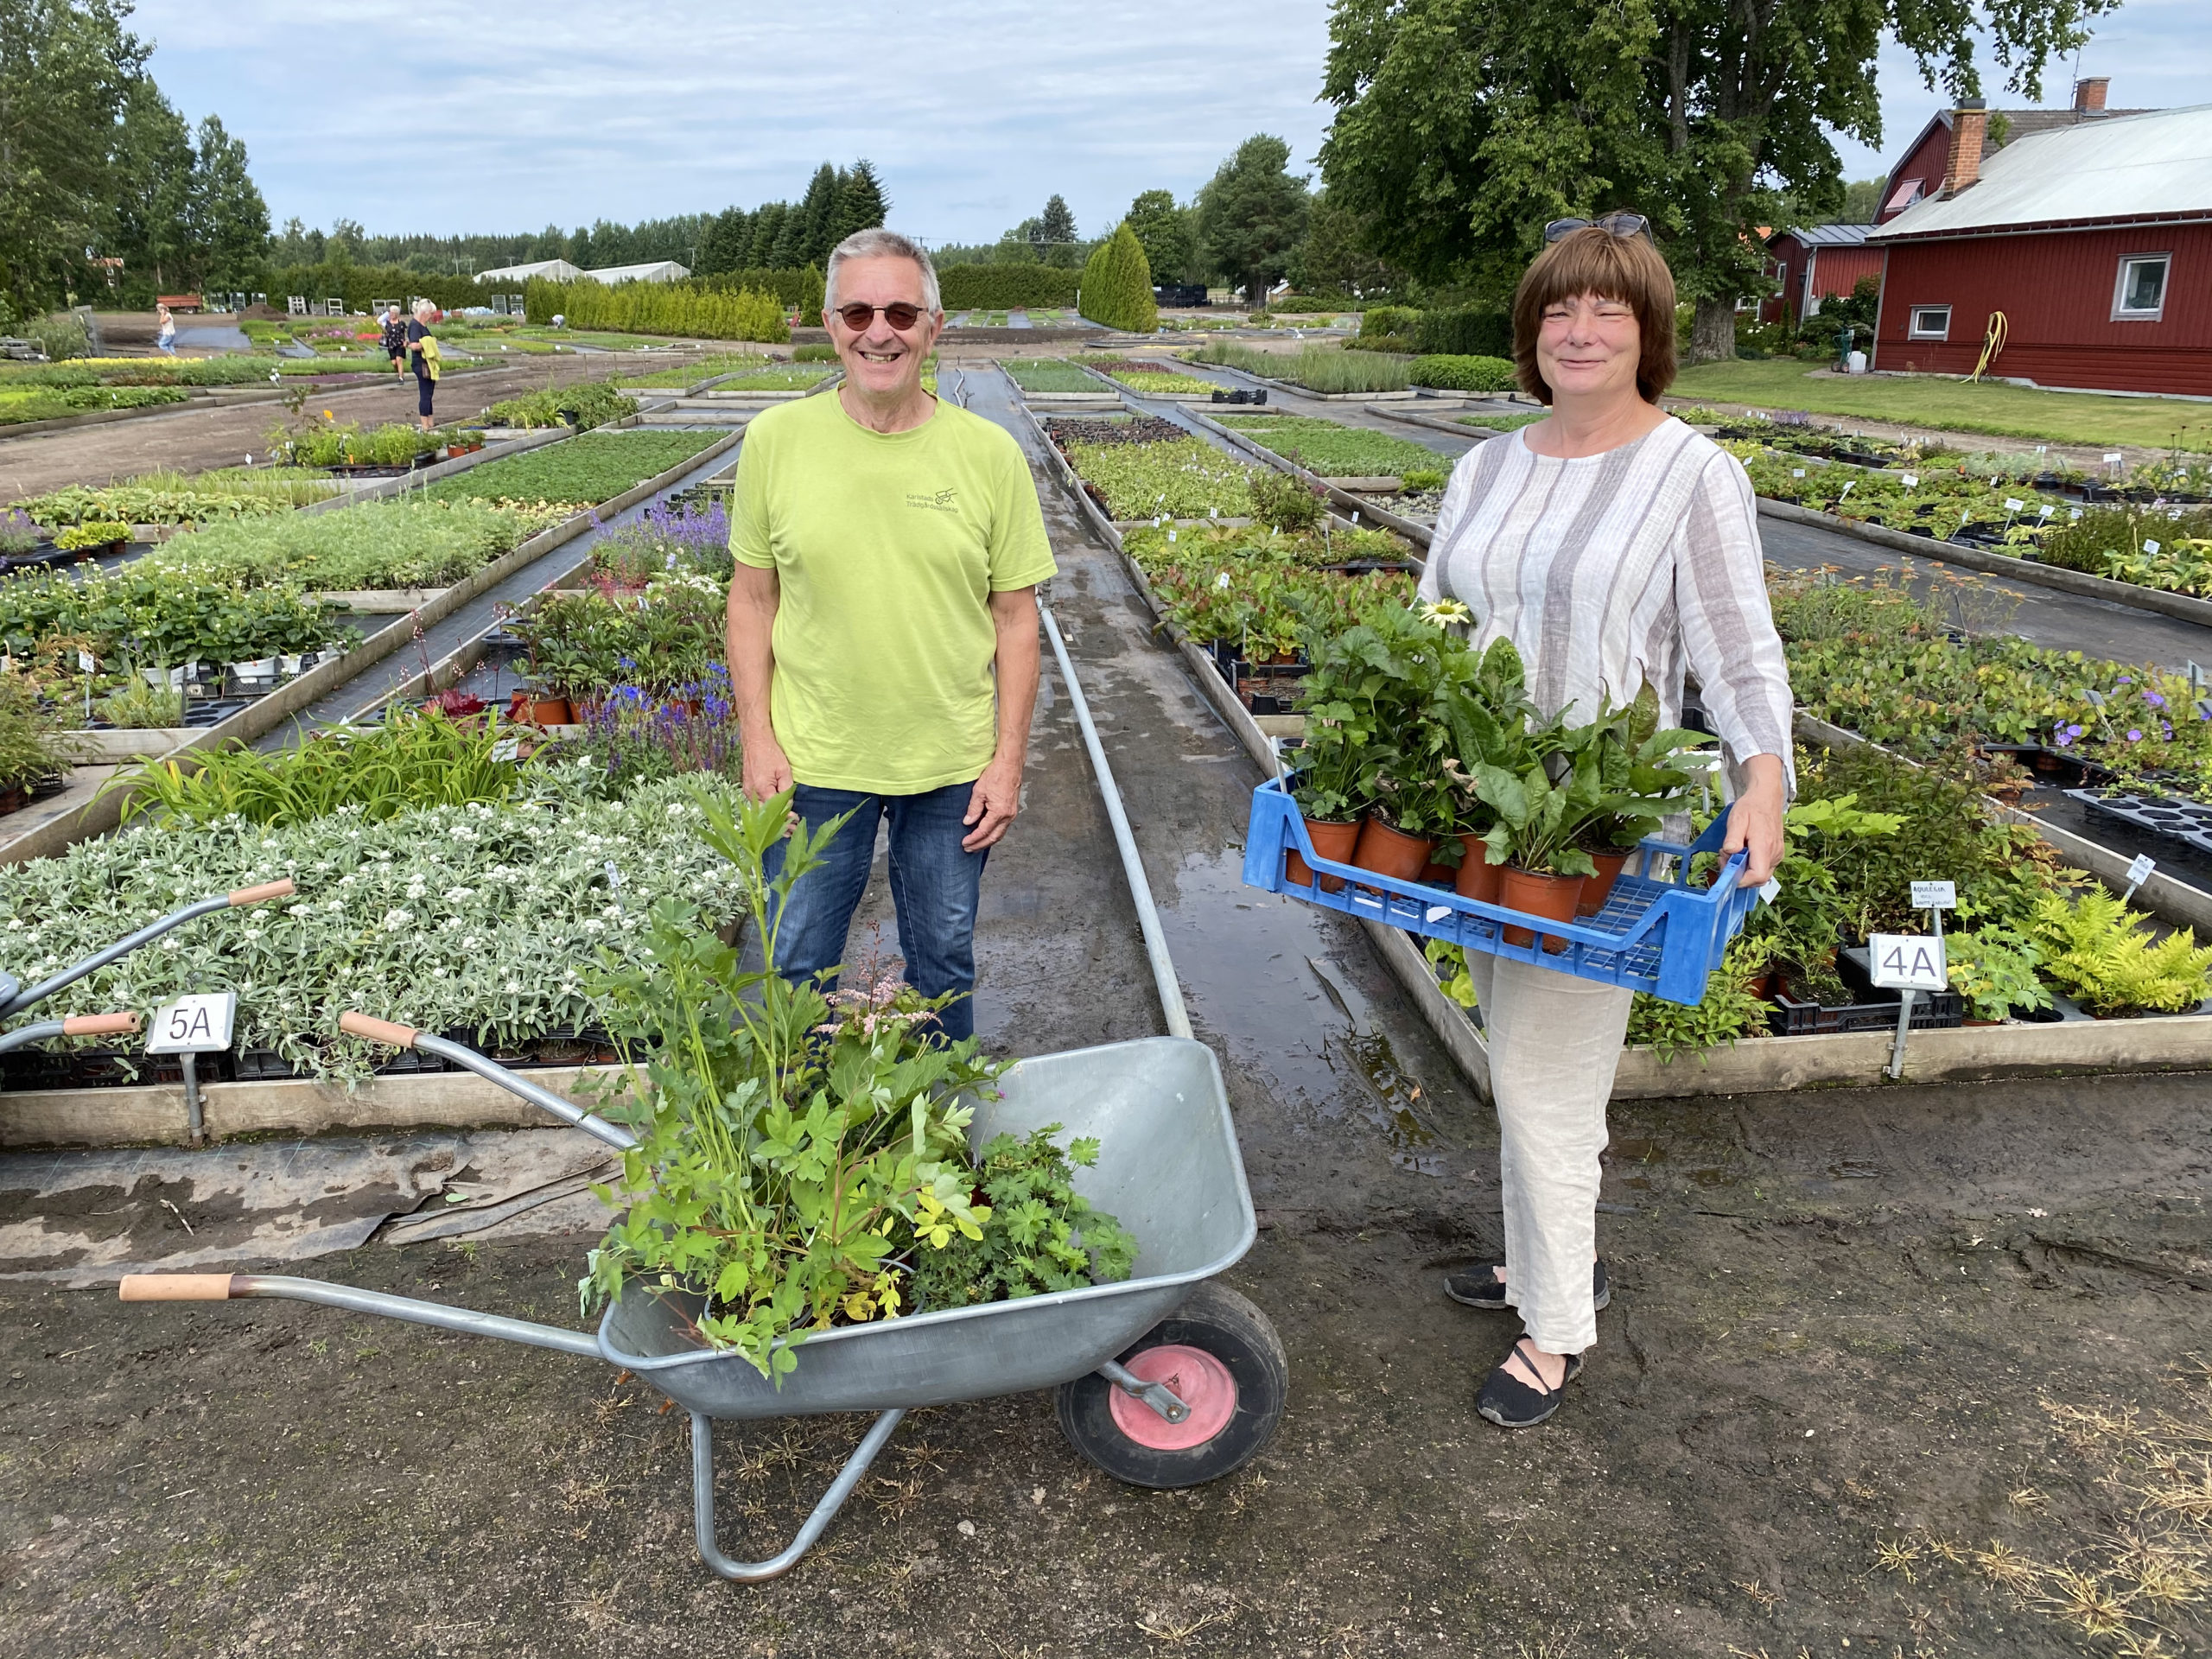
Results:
1616 572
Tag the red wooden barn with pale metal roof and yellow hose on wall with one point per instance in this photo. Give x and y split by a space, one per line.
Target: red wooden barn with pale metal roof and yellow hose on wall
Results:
2091 240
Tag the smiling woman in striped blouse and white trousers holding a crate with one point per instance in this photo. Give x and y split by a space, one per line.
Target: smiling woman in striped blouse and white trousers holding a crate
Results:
1616 550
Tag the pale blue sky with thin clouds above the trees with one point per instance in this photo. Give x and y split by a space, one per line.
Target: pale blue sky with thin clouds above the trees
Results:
974 112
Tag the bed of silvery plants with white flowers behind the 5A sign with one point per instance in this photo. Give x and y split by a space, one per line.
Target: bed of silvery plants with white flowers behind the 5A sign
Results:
470 919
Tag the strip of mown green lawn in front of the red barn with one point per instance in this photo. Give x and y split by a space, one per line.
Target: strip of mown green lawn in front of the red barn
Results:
1954 406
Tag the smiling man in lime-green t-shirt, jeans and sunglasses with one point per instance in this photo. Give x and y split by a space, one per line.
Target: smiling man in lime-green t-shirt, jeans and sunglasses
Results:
884 627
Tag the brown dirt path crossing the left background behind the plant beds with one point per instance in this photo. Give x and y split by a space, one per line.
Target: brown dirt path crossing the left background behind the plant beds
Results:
198 439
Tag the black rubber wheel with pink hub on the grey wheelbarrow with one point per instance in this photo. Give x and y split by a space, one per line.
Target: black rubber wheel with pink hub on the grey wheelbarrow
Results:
1222 1359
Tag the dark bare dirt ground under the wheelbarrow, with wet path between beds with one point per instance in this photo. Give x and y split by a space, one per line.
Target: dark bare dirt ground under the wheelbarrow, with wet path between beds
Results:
1881 1366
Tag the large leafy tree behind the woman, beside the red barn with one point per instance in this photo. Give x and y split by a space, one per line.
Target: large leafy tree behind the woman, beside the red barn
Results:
1461 129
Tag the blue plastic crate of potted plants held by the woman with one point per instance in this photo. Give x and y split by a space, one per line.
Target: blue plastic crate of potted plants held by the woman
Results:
1660 937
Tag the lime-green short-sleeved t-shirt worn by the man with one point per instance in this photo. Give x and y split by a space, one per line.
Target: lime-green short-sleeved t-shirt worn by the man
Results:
888 547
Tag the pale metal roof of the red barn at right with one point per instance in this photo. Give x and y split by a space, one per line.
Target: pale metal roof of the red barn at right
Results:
2133 169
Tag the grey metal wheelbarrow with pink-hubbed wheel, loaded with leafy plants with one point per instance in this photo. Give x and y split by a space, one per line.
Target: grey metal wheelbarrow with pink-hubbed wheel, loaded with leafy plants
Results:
1165 1379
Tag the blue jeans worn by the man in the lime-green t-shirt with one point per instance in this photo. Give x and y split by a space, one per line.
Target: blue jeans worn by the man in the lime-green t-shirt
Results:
935 888
